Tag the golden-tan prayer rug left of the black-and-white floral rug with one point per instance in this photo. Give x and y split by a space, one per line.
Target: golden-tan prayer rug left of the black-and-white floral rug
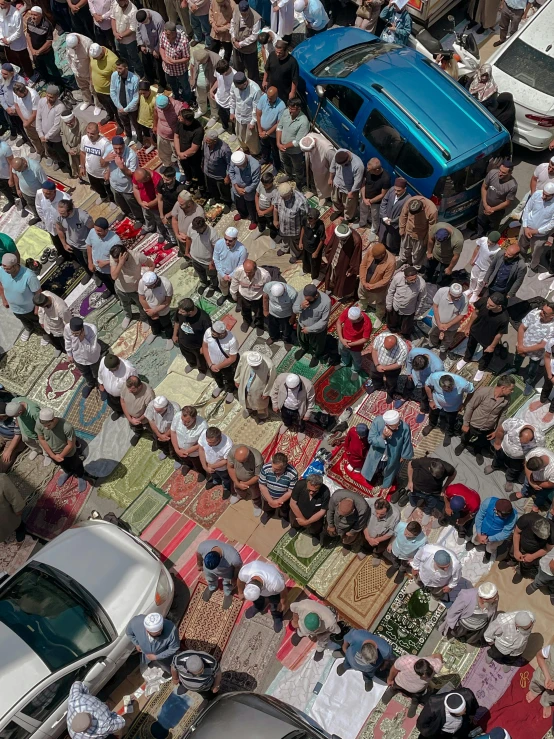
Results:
361 592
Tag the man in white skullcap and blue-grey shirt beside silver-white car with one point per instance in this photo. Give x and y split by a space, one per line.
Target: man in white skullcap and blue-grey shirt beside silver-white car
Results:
156 638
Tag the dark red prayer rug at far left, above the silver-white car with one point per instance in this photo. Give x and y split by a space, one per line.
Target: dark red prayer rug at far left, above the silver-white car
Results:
57 509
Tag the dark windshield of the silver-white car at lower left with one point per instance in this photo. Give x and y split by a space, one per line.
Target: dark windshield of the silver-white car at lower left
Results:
54 619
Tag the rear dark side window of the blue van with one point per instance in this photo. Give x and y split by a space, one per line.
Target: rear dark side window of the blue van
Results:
394 147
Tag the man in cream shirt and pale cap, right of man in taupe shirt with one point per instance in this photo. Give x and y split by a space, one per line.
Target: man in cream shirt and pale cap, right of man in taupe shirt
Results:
508 635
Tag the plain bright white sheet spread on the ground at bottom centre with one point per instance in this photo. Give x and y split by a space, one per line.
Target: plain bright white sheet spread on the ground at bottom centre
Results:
342 706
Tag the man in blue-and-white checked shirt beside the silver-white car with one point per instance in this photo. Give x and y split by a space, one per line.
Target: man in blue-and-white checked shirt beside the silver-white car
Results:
88 716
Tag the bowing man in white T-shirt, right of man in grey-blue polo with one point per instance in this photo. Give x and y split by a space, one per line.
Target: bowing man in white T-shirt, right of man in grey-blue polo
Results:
263 584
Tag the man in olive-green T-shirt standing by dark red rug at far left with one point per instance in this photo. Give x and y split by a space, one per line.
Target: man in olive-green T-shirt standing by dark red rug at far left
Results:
57 439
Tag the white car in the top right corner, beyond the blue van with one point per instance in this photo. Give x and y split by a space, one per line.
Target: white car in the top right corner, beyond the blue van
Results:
524 66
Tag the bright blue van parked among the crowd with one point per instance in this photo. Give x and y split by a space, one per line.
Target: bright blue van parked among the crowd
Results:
388 101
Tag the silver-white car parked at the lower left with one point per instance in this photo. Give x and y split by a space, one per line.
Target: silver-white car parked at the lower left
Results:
63 617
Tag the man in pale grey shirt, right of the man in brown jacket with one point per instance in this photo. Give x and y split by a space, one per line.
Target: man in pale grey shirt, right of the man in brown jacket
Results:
405 297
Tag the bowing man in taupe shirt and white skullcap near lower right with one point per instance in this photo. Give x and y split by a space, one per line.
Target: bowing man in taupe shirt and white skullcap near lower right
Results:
471 614
